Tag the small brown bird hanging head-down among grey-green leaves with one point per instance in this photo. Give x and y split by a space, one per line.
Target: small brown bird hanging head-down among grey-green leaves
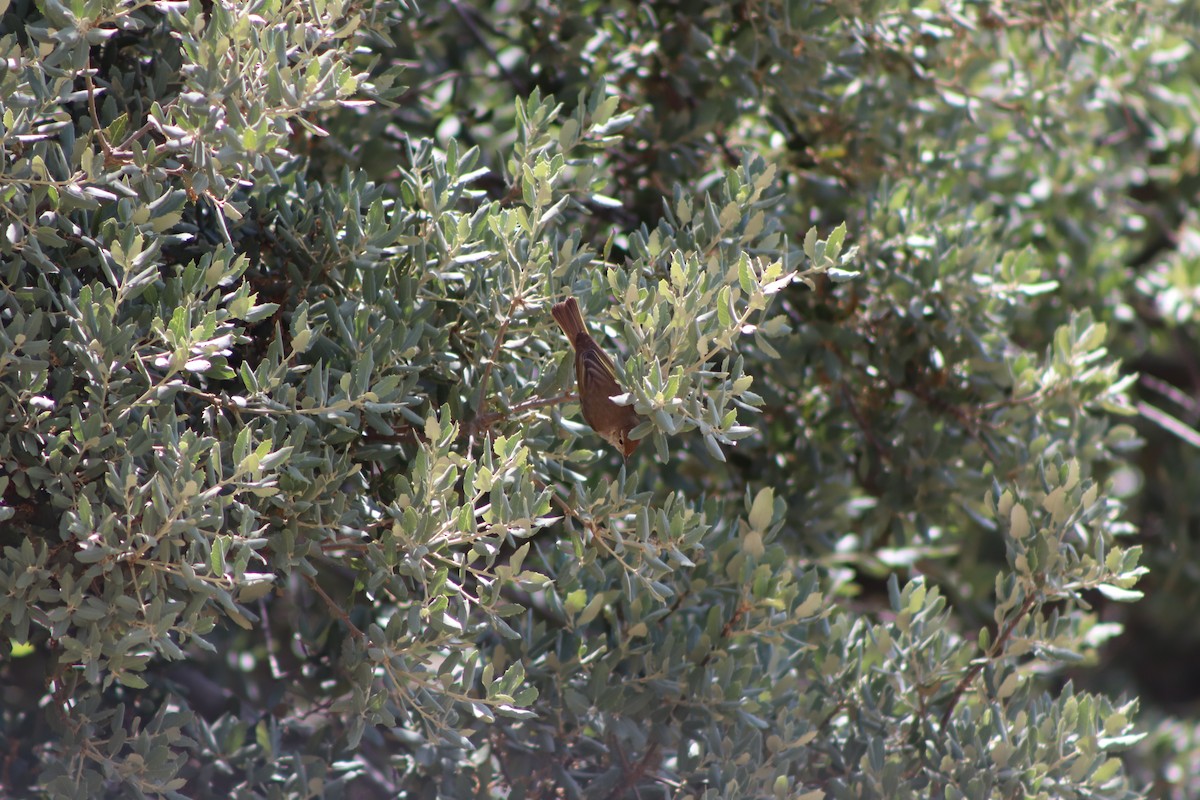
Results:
597 377
